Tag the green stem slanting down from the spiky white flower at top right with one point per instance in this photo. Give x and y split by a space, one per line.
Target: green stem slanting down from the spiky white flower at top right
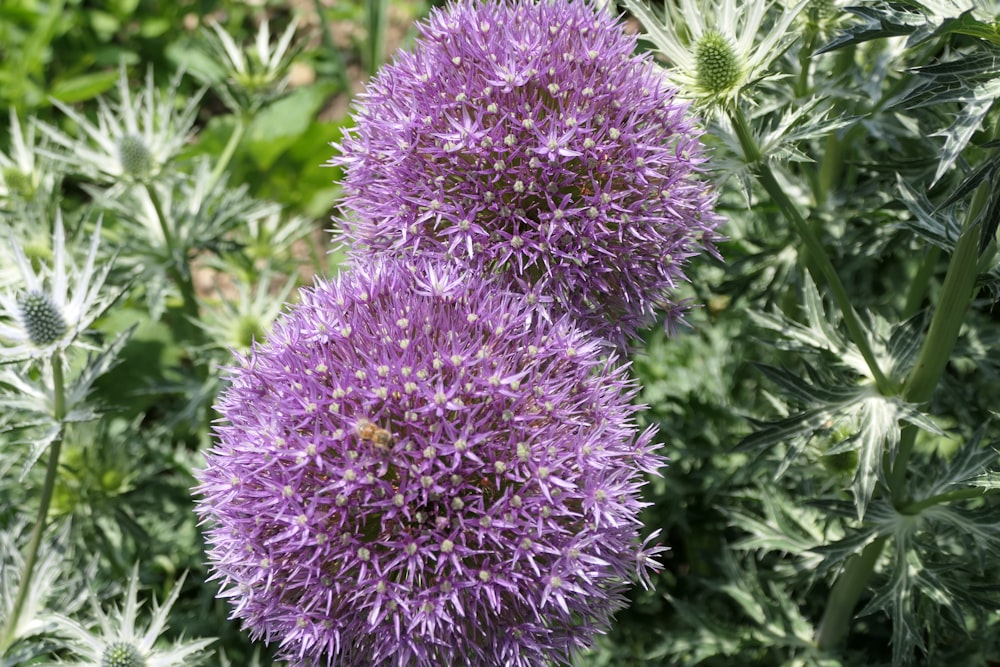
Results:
820 260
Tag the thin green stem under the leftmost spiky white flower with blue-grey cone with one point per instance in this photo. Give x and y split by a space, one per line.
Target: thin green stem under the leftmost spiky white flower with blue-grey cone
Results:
48 487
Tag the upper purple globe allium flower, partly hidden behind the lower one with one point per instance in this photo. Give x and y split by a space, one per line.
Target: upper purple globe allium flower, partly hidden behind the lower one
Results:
524 138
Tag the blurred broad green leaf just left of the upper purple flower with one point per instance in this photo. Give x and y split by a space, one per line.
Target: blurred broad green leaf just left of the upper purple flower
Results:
277 127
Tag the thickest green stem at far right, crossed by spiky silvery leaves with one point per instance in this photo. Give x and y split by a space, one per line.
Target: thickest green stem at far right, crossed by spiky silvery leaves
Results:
956 295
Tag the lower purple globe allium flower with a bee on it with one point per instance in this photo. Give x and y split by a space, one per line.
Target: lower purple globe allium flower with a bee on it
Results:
412 472
